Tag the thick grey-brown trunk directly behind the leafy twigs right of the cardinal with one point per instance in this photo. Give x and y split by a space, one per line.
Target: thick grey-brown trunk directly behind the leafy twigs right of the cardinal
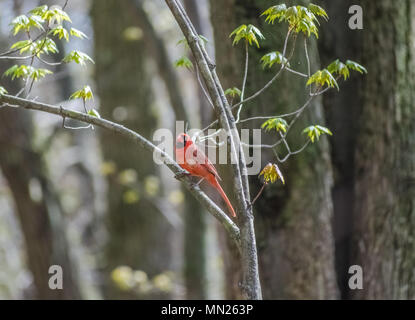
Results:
293 222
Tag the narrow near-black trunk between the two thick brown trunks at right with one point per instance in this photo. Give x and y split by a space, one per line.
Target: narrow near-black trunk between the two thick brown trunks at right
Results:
341 110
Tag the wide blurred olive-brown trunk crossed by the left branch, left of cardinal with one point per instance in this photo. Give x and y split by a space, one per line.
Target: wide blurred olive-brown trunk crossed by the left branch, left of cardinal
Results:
139 234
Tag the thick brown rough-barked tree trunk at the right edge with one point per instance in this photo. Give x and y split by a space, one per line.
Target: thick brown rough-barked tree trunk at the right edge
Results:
385 189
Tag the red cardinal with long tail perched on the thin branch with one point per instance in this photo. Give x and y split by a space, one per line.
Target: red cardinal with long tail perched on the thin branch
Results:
198 164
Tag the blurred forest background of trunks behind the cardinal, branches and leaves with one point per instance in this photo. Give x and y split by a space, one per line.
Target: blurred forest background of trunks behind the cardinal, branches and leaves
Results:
122 227
